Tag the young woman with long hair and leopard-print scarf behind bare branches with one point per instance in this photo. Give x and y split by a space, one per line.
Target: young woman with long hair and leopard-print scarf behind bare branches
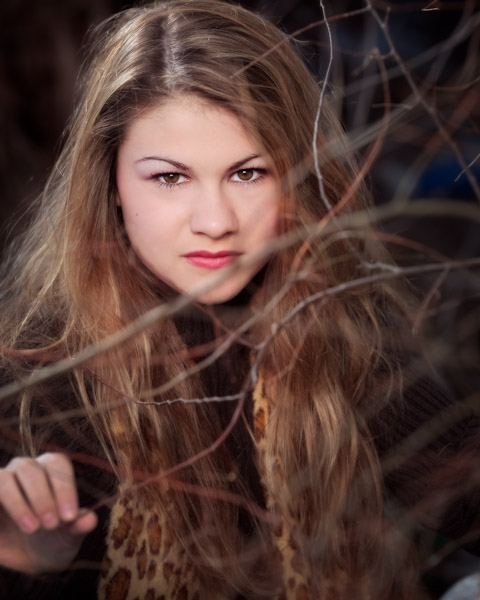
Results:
195 322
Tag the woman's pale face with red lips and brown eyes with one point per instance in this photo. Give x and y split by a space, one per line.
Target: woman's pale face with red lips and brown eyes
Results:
196 194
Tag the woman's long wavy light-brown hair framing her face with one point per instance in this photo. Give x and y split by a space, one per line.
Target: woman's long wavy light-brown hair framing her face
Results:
318 338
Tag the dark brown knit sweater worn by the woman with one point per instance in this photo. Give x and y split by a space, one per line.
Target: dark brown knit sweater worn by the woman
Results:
428 444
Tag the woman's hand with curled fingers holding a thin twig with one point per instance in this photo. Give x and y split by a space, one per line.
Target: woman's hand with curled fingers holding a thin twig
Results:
41 525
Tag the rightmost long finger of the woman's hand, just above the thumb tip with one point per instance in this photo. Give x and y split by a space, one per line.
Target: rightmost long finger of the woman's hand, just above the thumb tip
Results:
61 476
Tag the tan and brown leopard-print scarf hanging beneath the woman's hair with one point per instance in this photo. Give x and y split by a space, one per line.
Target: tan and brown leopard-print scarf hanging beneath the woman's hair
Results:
143 562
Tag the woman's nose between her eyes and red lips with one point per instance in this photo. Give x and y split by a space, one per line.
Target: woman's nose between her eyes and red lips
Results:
213 214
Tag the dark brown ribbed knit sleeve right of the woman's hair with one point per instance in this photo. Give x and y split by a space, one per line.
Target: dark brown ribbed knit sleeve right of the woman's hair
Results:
428 442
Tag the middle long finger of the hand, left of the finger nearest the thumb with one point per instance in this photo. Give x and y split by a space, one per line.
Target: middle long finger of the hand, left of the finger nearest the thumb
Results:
34 483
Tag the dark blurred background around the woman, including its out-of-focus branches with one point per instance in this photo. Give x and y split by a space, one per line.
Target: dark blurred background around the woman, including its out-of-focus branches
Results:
404 73
